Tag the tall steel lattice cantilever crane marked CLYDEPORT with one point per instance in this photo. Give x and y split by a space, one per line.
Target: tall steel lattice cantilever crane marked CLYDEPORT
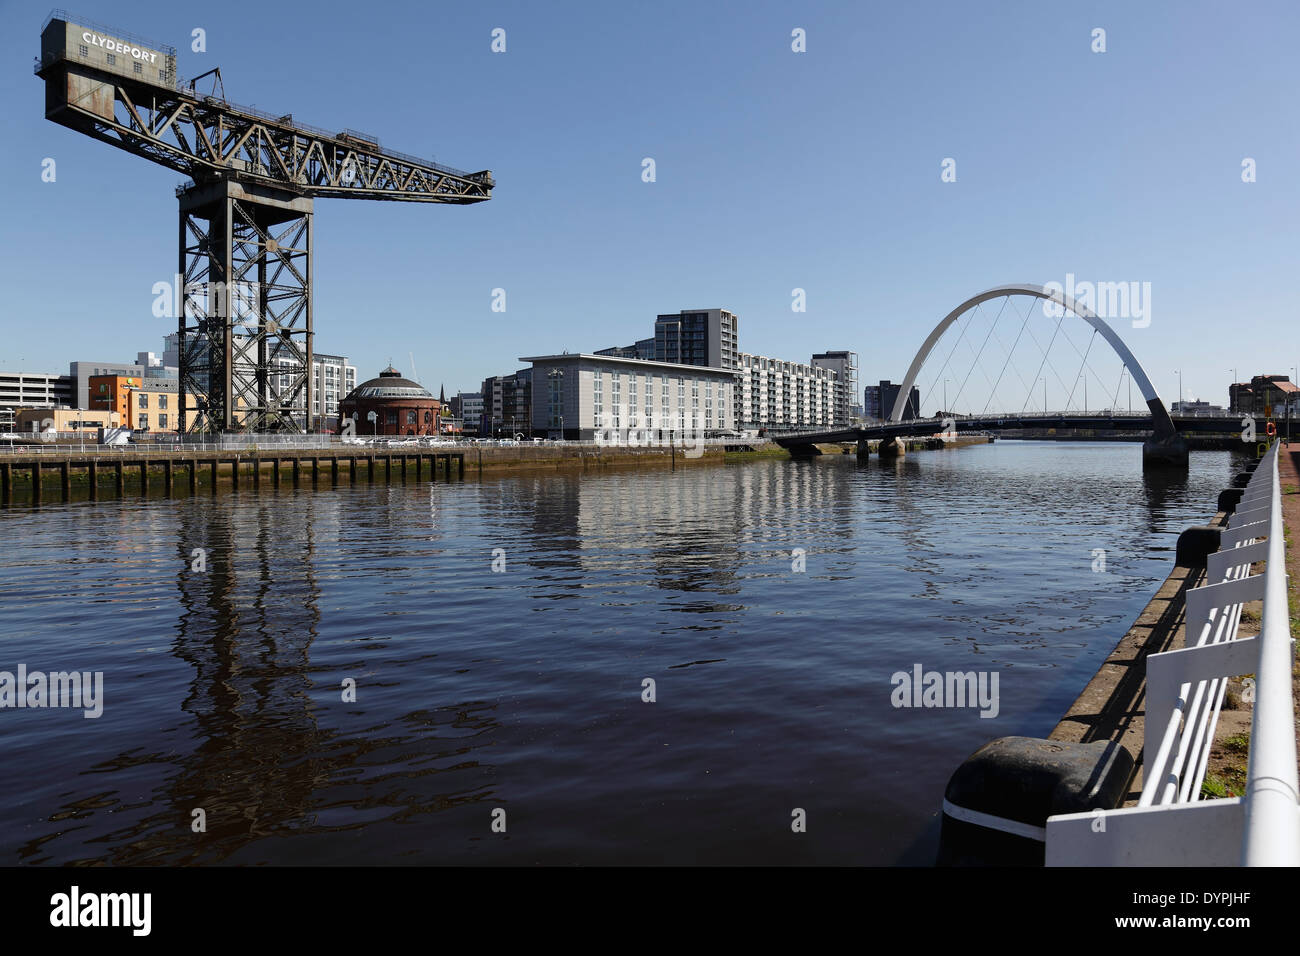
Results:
245 317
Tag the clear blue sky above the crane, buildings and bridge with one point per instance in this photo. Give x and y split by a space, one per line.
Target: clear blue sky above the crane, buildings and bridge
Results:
774 171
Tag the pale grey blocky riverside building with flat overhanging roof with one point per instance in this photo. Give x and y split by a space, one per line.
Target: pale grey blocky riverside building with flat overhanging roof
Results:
578 395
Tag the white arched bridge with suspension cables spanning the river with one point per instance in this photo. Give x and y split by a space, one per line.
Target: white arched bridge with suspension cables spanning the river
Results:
1008 399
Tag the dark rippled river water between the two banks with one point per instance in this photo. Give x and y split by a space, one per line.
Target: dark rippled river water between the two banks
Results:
522 689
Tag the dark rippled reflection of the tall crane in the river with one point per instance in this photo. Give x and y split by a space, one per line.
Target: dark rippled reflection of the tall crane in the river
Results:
274 749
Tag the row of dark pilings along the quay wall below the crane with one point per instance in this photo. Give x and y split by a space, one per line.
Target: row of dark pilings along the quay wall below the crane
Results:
239 468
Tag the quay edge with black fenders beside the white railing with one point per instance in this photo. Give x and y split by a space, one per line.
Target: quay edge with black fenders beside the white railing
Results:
998 802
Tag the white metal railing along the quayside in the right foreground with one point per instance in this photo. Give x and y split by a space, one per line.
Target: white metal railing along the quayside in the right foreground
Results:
1185 691
